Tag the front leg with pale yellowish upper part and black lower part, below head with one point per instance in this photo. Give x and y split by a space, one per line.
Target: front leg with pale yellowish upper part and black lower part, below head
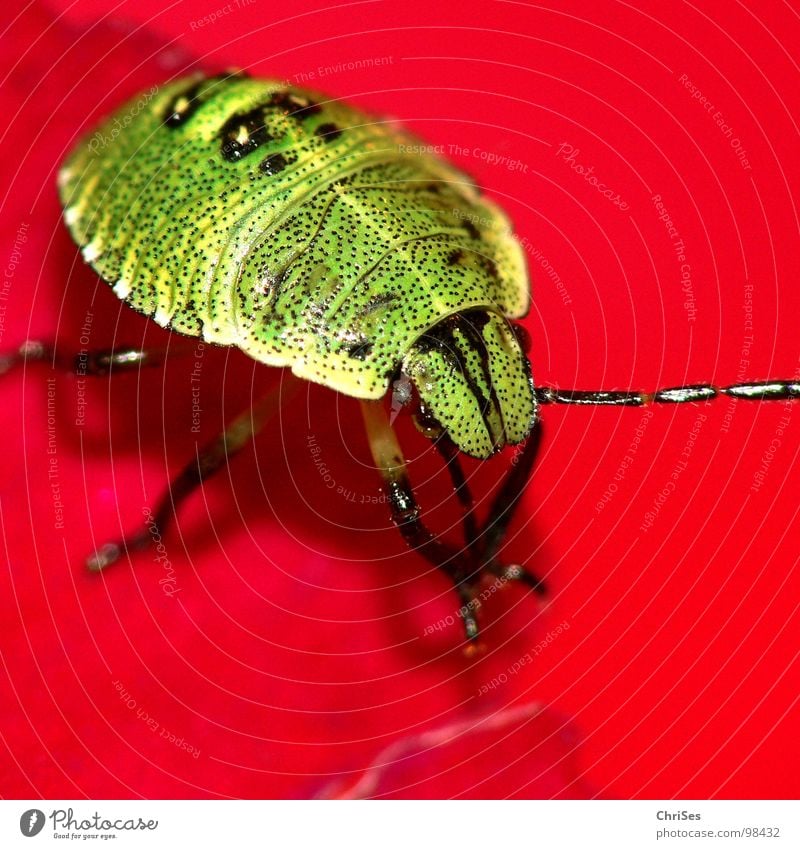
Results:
405 511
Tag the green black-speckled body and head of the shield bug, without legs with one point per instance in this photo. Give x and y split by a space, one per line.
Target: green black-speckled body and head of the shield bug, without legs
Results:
312 236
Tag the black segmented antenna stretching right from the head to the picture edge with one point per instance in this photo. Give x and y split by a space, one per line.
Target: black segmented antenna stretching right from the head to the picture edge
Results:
768 390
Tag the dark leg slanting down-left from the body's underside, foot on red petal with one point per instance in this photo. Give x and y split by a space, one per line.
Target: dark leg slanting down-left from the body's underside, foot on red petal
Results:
213 457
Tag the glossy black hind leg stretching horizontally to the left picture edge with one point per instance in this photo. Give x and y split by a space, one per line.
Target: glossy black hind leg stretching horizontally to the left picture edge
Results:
83 363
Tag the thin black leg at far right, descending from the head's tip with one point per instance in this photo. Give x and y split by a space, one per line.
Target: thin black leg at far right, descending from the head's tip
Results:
502 511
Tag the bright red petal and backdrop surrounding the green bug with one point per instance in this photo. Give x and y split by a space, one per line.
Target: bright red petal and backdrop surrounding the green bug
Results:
295 651
